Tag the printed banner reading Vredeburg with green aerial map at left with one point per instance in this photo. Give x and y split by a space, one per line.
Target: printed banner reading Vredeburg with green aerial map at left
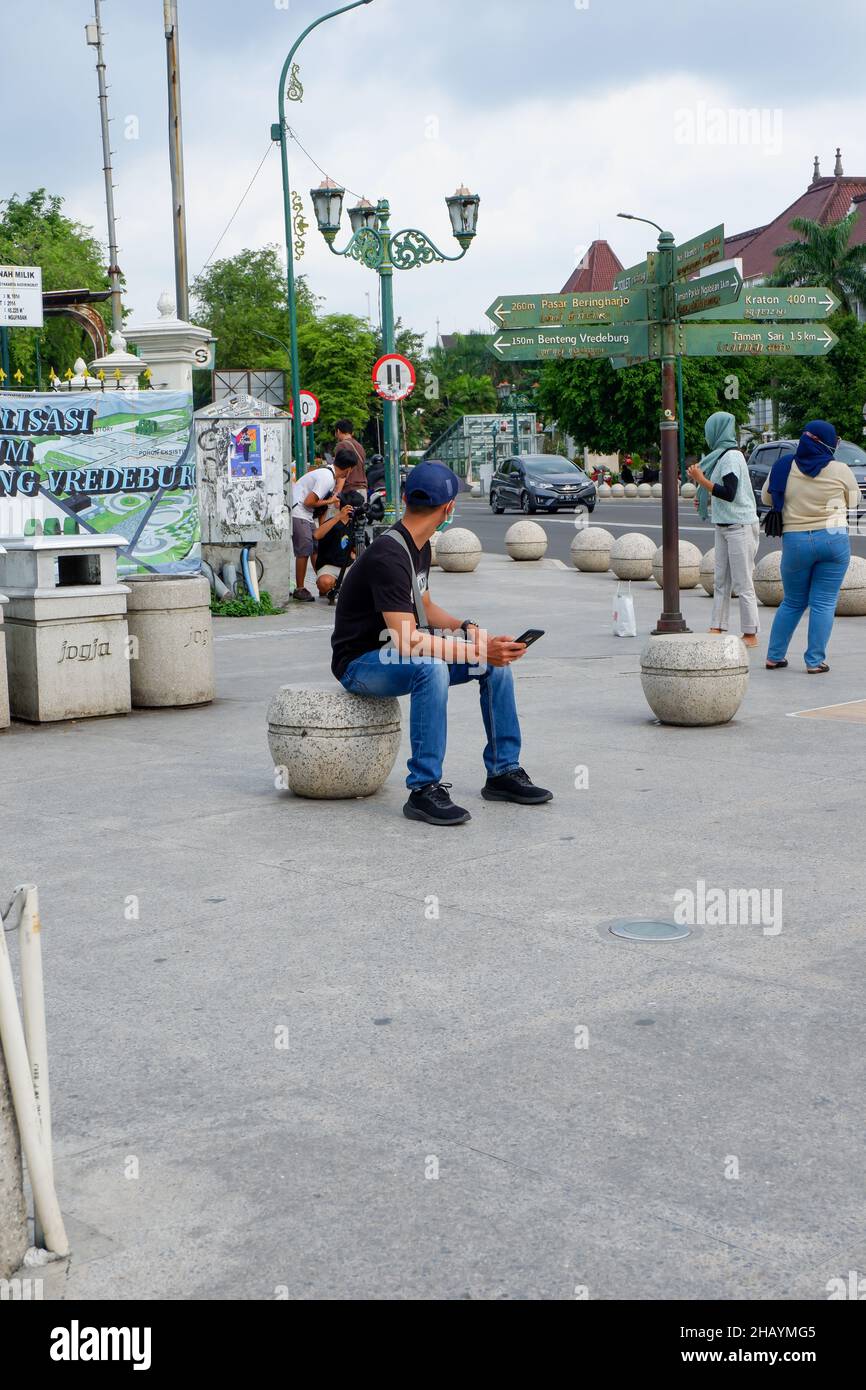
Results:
115 462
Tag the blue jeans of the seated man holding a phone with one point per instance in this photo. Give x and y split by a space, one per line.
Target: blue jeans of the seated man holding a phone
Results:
429 680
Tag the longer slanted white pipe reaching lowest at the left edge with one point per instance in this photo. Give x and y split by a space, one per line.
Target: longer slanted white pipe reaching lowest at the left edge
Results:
27 1110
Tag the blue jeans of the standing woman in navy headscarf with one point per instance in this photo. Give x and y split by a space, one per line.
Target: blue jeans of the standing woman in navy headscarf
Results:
814 565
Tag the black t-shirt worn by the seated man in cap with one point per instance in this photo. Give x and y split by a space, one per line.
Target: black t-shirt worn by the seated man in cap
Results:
379 583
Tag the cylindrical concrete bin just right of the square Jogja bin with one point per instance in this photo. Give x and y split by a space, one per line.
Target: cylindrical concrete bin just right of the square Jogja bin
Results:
173 626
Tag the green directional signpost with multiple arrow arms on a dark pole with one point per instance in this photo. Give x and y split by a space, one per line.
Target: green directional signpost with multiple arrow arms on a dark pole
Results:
660 311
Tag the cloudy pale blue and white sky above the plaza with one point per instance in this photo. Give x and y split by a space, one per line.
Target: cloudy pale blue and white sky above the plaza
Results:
559 113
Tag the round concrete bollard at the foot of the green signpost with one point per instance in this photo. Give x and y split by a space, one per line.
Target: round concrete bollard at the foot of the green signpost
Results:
694 679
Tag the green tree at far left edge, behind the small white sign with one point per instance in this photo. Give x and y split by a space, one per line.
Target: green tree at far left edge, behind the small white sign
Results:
34 231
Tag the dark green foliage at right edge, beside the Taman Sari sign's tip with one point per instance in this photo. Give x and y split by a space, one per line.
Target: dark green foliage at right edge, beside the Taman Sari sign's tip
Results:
826 389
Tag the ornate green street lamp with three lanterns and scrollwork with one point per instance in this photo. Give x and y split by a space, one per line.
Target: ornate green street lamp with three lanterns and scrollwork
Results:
376 247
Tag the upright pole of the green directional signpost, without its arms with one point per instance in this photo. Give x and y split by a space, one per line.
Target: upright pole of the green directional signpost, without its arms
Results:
672 619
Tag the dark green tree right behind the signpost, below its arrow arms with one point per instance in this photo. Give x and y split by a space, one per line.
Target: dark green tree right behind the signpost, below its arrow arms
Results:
610 411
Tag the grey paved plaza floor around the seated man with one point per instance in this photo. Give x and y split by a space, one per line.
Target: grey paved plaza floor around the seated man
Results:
316 1050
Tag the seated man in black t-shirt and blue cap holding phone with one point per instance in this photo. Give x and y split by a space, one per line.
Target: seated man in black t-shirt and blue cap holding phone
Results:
391 639
